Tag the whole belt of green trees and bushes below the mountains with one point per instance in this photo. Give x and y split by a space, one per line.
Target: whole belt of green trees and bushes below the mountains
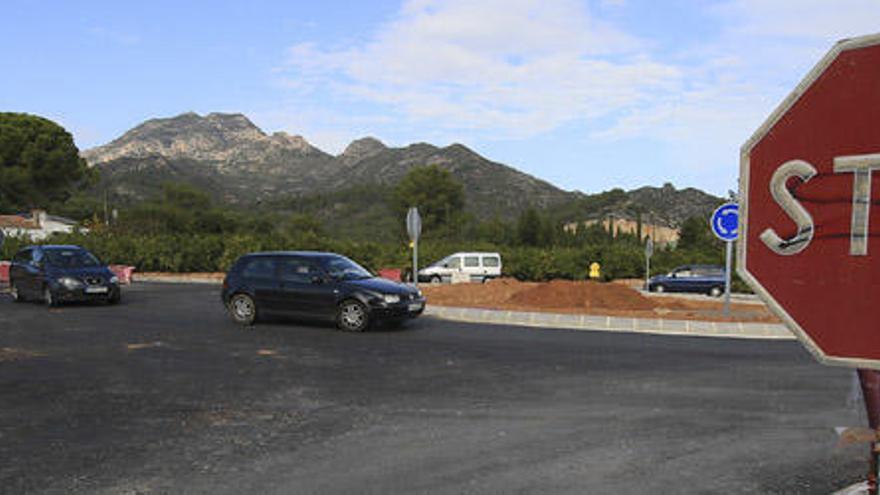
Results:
184 229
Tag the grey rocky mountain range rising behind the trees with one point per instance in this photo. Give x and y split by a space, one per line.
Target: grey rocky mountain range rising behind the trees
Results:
236 161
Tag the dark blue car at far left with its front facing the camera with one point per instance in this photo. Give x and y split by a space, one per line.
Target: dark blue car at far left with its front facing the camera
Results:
56 274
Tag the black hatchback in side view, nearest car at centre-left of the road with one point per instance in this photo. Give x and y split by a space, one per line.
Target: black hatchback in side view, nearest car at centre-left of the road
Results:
315 285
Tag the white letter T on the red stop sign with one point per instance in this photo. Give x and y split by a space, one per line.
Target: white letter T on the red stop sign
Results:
861 166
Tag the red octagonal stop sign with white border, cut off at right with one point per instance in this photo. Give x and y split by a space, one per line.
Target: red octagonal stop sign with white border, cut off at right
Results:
810 246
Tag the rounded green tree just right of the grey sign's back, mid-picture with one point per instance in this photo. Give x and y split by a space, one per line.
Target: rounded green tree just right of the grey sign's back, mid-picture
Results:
438 195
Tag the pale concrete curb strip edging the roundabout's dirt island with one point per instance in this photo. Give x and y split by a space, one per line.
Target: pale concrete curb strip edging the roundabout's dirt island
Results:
613 323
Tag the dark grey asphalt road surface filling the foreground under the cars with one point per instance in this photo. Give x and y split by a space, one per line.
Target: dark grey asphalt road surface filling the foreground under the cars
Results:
162 395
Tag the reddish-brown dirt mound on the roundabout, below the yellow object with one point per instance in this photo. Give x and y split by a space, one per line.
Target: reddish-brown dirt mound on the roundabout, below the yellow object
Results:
586 295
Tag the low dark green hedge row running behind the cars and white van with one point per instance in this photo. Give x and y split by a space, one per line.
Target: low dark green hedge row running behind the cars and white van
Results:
216 252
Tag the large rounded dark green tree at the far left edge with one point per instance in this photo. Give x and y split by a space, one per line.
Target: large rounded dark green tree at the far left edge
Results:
39 163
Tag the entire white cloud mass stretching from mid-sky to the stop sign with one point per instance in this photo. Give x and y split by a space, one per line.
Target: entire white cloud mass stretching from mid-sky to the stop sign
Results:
493 69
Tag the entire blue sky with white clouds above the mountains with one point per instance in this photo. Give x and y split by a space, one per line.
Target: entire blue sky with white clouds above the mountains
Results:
588 95
